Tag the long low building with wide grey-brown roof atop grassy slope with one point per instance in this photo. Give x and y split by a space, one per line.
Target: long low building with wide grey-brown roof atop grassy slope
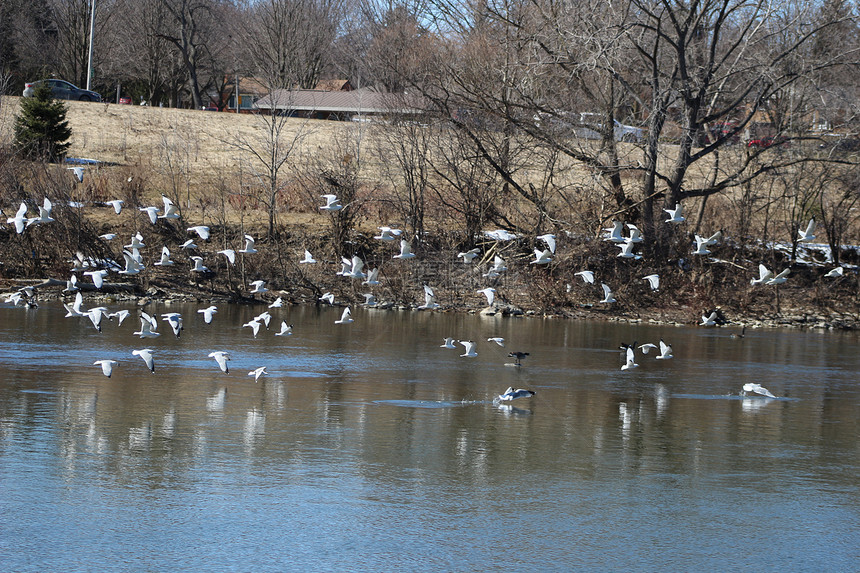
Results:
353 105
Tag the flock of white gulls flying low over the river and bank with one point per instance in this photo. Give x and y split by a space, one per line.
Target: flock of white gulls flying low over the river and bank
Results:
351 268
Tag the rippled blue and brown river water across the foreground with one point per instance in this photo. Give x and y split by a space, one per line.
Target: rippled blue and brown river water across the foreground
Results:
370 448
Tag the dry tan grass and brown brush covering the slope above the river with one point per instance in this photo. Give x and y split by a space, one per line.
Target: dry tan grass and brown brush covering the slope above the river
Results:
188 156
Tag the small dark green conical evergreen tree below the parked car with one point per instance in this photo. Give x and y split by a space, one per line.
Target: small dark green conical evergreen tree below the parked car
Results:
41 130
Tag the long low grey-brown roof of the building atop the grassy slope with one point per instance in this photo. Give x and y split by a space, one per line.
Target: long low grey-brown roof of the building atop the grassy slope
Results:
365 100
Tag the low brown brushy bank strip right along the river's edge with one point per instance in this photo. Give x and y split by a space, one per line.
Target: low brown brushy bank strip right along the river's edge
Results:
808 300
